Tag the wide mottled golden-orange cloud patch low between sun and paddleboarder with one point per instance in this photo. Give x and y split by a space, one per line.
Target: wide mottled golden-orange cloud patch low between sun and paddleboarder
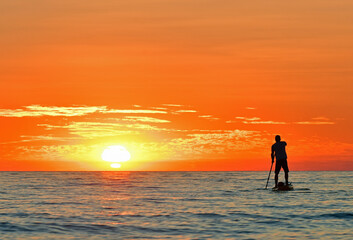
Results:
206 143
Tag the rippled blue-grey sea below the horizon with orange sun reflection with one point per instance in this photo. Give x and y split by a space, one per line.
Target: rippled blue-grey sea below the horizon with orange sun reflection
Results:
174 205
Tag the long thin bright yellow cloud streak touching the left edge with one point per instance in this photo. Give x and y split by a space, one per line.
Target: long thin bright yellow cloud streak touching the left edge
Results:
38 111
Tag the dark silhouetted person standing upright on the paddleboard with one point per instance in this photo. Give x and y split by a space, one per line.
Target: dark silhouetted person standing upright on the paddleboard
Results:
279 150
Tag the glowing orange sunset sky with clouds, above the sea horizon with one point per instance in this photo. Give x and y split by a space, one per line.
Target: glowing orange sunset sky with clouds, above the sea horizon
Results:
183 85
